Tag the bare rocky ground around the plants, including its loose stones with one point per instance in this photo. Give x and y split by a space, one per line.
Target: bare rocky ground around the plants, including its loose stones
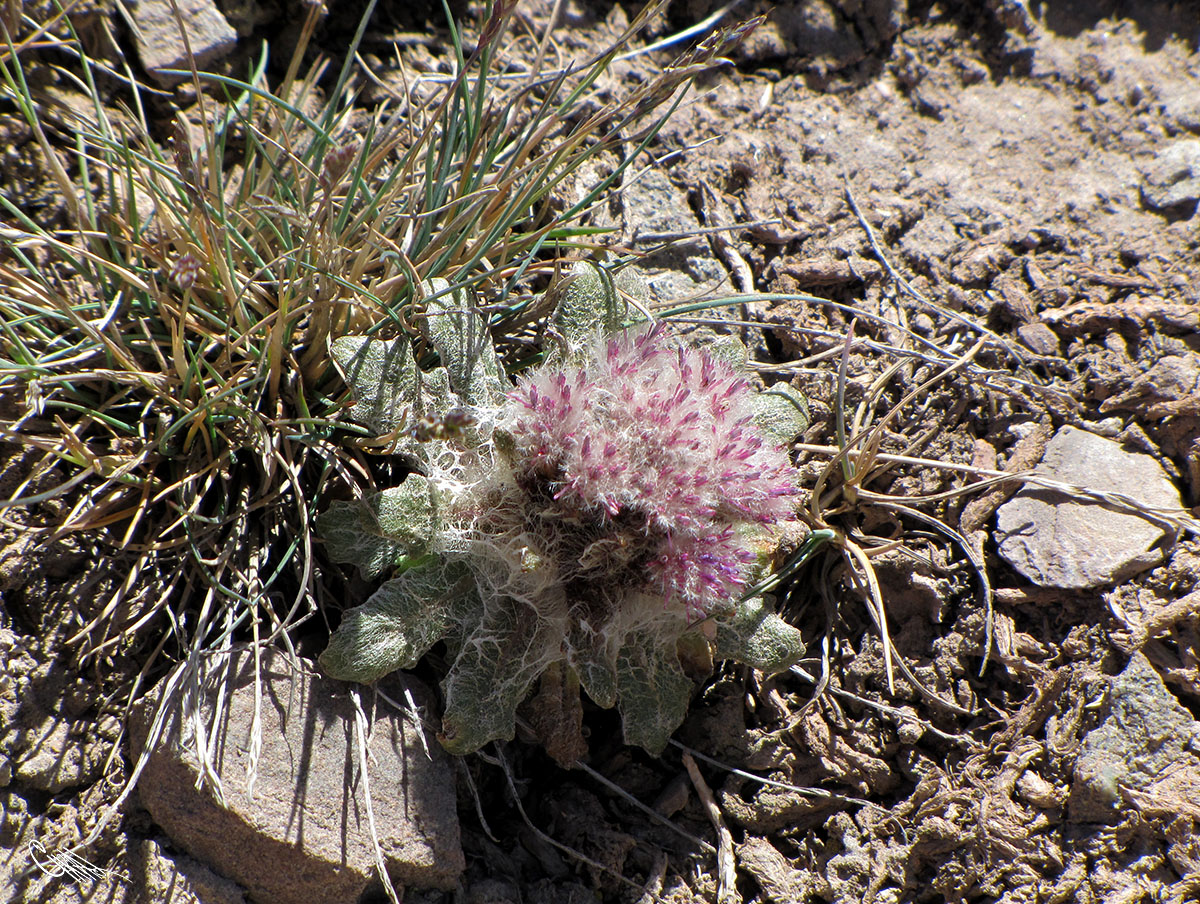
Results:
937 176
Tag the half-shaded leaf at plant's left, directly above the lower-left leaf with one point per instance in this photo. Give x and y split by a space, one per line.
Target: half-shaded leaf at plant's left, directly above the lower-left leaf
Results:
383 531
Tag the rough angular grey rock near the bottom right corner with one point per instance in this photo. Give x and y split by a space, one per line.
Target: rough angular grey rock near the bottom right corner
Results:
1145 737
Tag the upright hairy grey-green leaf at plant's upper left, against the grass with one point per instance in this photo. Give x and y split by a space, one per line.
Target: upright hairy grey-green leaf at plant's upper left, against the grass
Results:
460 337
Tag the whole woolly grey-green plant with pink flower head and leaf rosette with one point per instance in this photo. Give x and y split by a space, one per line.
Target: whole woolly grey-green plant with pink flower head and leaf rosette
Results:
593 529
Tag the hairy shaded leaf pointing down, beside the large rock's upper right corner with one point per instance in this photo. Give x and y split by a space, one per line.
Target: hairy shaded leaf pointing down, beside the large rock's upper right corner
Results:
496 666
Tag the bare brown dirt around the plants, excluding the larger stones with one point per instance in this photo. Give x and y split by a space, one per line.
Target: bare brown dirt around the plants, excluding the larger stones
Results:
929 165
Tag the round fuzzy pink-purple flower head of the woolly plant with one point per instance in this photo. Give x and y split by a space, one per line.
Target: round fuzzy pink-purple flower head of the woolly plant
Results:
644 460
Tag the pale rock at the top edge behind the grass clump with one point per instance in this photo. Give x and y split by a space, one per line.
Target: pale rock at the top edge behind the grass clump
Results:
159 35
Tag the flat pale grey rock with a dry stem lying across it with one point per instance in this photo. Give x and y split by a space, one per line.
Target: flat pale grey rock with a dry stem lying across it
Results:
1059 542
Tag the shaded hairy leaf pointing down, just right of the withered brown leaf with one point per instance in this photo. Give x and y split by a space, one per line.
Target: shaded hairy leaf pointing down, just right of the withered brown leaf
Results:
653 691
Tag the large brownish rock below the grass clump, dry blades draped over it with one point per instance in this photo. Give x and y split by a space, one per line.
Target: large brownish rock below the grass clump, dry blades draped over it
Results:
301 835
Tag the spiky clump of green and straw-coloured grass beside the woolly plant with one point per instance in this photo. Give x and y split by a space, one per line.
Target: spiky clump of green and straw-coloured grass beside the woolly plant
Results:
171 346
